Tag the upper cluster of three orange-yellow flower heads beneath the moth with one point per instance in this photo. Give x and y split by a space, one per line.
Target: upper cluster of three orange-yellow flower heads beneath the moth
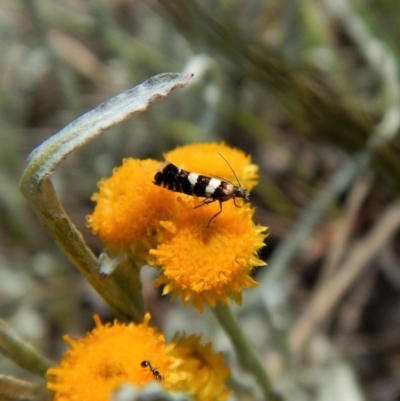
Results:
201 262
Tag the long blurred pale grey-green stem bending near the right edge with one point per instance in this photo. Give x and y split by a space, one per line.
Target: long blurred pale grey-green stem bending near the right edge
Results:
382 58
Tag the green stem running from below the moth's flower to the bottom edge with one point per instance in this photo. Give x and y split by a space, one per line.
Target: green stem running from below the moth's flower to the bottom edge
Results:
246 353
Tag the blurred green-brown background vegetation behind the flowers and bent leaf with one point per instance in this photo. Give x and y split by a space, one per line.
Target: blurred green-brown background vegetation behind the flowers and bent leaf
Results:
309 88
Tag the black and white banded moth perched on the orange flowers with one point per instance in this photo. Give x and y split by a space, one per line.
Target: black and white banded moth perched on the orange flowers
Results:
213 189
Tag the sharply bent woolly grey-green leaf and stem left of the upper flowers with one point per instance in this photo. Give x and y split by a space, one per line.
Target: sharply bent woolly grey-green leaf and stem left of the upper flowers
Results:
121 290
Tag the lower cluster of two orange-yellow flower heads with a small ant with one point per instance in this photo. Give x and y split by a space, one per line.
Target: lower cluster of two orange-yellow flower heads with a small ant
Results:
112 355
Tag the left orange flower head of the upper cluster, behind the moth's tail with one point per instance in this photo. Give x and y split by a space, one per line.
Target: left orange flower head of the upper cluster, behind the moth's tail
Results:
129 206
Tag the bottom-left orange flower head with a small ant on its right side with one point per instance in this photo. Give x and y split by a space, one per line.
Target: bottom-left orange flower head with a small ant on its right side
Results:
106 358
